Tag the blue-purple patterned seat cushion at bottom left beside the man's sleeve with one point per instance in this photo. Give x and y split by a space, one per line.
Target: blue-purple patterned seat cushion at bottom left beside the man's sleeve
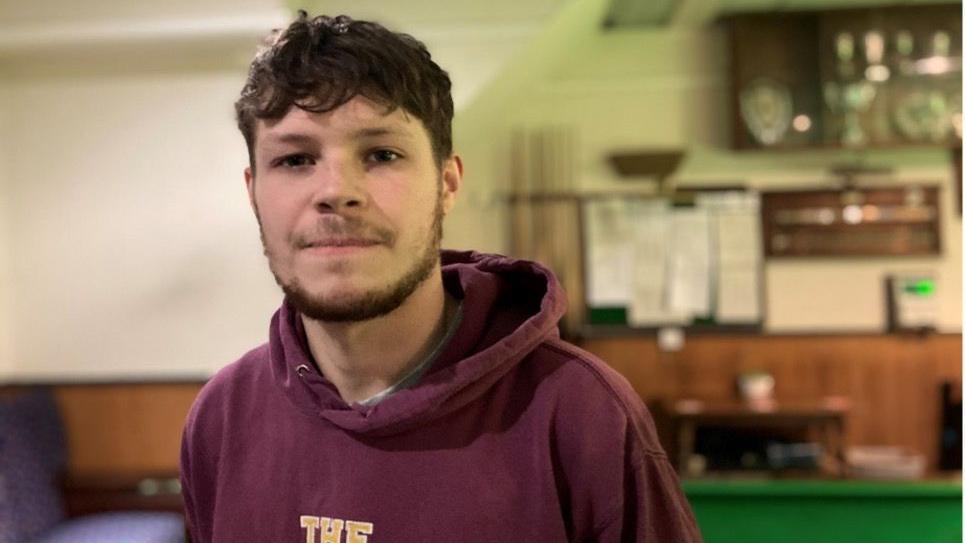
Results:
126 527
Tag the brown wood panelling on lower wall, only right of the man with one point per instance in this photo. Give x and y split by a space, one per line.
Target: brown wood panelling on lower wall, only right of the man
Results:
891 381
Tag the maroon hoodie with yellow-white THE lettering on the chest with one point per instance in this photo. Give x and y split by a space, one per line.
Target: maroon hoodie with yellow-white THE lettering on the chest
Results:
511 435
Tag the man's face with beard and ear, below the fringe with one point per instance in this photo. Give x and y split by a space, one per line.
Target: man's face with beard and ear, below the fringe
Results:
350 205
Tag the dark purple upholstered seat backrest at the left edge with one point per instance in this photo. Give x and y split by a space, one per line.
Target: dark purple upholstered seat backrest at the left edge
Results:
32 458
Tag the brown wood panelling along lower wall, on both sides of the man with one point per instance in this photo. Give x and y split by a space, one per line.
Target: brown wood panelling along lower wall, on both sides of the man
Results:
892 383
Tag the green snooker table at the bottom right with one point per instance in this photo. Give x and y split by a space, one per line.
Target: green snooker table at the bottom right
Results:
827 511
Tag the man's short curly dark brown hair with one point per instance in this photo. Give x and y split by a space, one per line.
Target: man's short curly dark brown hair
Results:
320 63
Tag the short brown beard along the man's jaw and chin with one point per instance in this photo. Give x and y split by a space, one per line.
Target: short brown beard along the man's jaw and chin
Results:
368 305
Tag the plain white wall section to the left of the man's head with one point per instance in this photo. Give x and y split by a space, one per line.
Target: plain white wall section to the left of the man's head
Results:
134 250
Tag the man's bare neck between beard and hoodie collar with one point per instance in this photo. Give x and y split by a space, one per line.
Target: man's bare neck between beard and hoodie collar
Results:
363 358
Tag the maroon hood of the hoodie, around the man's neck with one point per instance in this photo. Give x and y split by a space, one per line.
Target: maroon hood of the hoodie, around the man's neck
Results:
509 307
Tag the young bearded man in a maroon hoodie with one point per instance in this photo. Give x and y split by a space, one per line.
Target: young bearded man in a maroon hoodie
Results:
405 394
